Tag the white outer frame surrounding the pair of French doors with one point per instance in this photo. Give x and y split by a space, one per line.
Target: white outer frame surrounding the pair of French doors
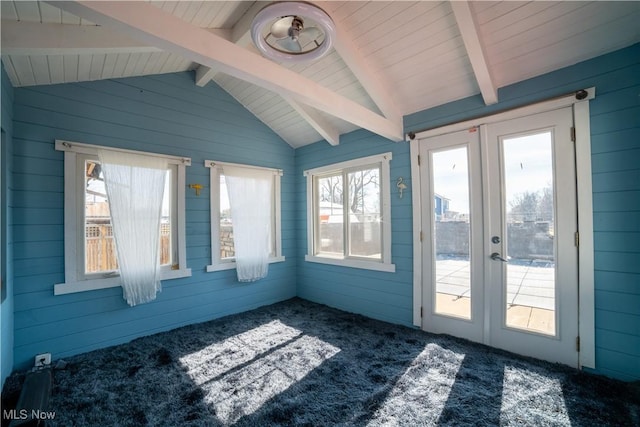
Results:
586 311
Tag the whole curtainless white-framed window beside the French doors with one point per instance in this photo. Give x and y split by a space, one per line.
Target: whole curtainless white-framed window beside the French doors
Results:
349 215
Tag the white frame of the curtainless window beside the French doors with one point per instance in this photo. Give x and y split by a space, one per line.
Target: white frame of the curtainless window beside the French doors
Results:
384 264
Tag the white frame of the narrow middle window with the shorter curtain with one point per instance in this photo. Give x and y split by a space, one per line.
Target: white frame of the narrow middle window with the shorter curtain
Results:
217 263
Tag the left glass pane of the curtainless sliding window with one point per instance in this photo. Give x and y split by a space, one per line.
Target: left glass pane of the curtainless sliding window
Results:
330 215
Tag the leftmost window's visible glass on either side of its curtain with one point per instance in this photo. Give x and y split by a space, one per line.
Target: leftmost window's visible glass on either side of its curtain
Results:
100 250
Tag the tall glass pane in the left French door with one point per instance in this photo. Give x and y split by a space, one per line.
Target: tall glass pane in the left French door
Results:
450 177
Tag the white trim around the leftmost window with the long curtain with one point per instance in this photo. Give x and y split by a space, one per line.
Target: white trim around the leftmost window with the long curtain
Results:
73 283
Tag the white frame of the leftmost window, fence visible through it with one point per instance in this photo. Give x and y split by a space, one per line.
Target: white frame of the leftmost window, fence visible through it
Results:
75 278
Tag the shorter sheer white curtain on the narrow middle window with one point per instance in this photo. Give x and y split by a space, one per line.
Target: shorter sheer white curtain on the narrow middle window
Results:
250 195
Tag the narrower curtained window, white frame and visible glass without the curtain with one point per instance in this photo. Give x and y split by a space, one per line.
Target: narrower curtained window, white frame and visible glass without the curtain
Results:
222 244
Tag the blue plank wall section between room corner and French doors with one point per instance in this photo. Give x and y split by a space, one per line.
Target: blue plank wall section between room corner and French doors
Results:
381 295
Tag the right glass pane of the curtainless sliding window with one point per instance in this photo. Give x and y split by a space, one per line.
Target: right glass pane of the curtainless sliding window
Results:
364 209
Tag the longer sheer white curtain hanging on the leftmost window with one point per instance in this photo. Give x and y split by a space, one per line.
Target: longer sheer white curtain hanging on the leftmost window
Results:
135 188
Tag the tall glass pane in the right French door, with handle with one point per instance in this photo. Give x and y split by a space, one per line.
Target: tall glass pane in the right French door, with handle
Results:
529 197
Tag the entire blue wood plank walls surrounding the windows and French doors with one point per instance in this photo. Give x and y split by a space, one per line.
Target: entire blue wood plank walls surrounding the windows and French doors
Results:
169 114
